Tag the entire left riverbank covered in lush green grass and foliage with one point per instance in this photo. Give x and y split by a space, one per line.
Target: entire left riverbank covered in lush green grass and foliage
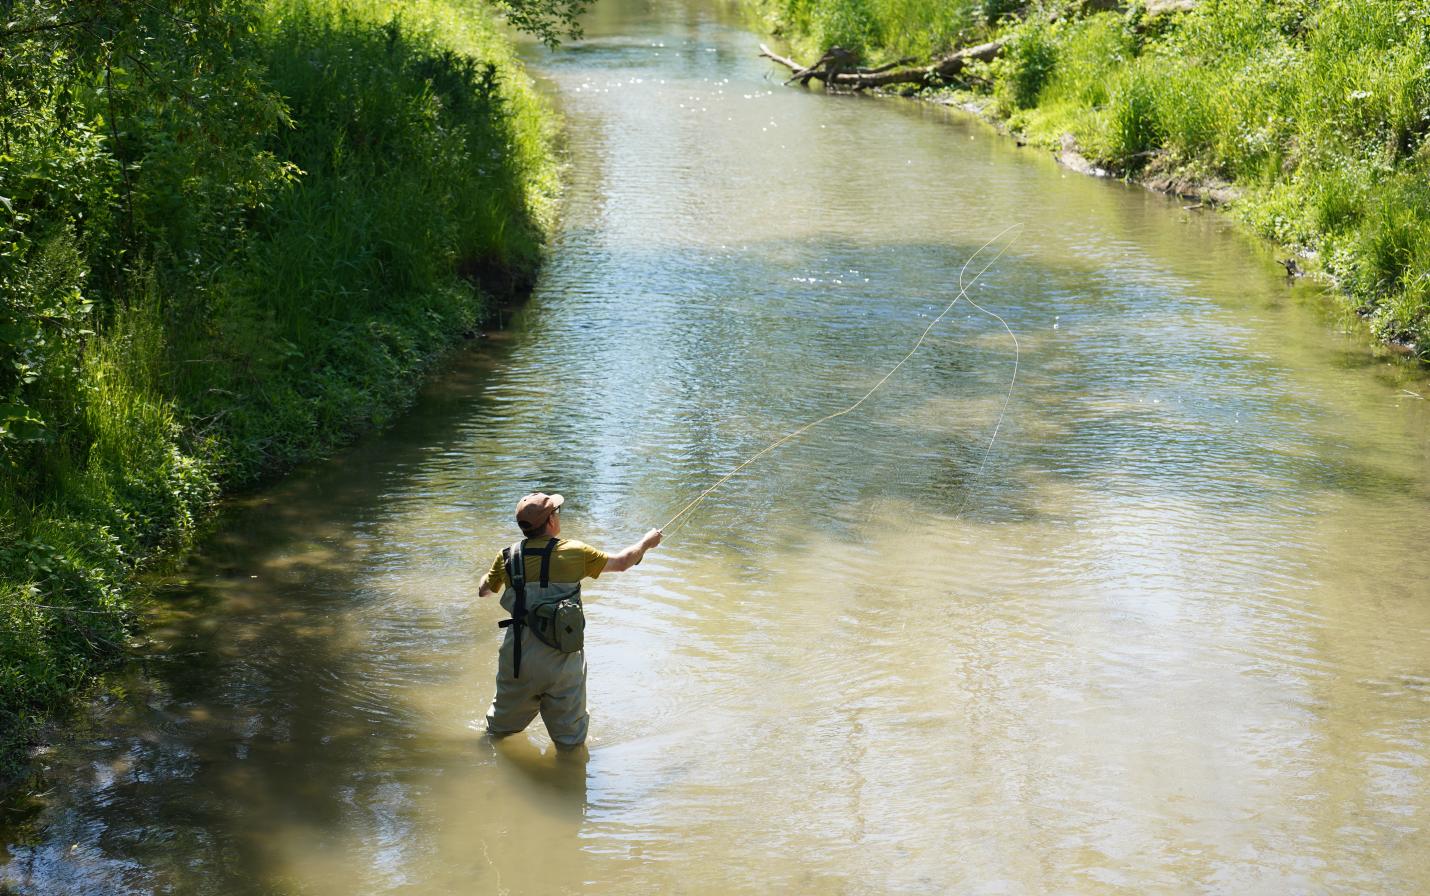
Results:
232 235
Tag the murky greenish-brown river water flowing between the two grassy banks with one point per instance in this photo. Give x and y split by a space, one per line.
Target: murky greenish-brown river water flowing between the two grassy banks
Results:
1170 634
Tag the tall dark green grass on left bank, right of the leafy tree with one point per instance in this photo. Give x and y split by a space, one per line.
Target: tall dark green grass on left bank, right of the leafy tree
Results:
420 165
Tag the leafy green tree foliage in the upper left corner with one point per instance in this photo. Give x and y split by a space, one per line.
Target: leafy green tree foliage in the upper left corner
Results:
127 129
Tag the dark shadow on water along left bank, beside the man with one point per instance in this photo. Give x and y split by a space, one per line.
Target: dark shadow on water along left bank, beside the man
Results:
252 710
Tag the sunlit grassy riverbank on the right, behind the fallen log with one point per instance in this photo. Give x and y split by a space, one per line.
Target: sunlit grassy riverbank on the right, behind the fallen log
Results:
1315 114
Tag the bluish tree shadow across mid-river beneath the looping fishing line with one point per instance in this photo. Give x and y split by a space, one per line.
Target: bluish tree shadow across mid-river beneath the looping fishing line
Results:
1123 379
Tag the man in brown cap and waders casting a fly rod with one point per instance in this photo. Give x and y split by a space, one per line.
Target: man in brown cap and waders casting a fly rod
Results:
543 667
